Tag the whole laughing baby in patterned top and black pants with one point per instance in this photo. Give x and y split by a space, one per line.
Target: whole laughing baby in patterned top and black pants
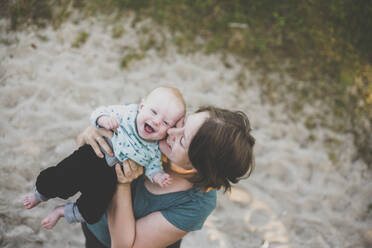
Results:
137 130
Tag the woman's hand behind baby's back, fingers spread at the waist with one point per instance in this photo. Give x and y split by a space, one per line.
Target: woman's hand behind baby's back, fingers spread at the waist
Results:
94 137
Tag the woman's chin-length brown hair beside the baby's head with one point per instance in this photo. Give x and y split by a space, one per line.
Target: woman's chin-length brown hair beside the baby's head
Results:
222 149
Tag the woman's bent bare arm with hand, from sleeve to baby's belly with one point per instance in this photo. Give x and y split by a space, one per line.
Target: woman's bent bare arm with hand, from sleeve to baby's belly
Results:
152 230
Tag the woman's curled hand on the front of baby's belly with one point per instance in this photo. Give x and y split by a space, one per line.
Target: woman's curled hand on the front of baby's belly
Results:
131 171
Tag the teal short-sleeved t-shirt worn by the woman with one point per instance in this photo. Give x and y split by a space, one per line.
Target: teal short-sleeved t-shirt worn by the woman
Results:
186 210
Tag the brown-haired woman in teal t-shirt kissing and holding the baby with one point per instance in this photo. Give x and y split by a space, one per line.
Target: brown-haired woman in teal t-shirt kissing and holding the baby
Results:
211 149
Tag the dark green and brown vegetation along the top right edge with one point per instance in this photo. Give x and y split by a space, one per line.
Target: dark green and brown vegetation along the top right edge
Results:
324 45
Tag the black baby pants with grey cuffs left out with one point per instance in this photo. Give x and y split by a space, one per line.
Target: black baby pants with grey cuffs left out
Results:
83 171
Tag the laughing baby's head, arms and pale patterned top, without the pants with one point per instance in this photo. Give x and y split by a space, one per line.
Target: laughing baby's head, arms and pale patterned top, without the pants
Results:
136 138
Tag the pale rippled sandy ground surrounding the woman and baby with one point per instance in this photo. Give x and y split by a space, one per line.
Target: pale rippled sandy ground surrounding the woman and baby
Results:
296 197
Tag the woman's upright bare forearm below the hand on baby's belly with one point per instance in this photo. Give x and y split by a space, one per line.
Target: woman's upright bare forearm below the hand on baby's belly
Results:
121 220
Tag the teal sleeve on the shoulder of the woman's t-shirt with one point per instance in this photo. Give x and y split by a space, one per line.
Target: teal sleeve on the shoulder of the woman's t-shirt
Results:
190 216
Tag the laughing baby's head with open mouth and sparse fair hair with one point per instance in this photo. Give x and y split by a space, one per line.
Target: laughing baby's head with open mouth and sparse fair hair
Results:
157 114
